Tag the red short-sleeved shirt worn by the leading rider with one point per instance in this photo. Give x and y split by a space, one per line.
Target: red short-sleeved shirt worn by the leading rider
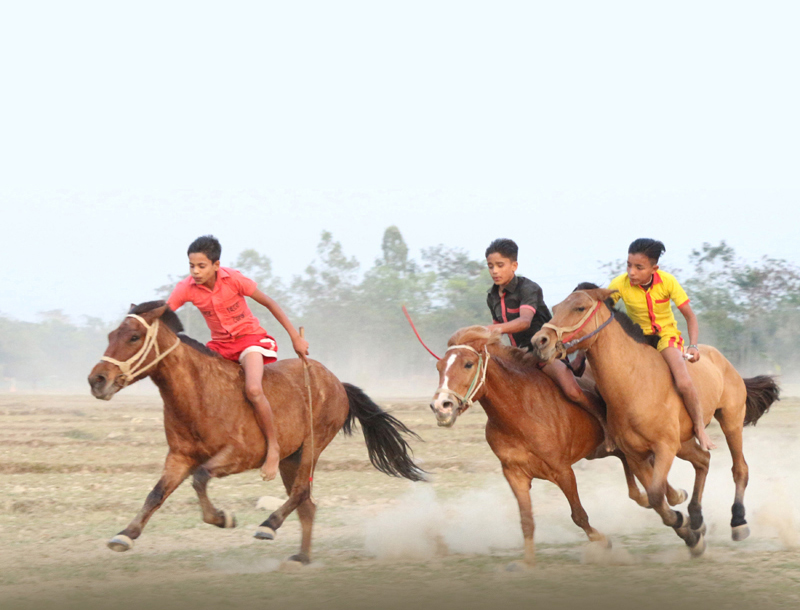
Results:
224 308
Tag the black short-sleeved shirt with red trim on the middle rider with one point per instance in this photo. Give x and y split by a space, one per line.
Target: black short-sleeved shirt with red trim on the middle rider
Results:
520 293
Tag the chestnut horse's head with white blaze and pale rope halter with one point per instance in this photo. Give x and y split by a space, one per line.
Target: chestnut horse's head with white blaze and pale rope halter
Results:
462 373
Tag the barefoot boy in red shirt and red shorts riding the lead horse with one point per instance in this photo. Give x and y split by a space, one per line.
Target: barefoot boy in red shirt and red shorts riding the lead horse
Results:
236 334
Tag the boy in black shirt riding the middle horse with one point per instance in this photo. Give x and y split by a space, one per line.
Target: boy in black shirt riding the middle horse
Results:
518 310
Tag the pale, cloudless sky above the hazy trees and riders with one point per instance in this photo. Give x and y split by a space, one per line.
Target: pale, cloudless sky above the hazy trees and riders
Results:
127 130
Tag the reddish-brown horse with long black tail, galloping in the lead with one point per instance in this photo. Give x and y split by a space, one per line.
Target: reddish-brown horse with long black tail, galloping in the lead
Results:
211 427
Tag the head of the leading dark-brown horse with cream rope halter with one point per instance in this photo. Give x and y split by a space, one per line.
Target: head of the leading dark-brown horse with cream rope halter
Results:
135 347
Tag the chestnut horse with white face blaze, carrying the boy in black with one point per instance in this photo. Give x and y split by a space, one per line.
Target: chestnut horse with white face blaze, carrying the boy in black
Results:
533 429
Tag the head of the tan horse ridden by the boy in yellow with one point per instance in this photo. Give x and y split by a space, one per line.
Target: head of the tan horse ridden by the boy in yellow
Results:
575 323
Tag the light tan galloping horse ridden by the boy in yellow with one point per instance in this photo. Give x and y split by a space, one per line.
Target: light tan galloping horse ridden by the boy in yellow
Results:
646 416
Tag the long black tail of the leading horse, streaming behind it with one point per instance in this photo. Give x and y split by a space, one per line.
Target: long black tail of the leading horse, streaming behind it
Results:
383 433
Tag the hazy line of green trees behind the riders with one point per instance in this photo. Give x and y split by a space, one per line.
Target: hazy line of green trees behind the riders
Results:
353 318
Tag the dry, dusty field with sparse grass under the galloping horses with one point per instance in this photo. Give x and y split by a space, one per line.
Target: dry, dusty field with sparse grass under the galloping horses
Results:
74 471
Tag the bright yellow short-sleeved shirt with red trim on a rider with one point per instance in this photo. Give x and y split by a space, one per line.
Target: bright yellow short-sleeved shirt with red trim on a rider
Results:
650 308
